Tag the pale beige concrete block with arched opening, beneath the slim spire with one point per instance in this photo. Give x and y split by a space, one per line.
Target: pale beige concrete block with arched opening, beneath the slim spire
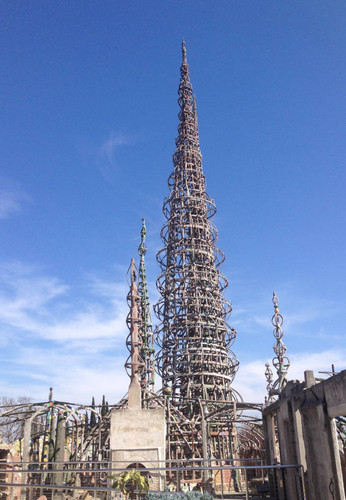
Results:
139 435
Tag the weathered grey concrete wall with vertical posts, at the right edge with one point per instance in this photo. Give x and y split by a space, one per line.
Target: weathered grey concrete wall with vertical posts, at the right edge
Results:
304 416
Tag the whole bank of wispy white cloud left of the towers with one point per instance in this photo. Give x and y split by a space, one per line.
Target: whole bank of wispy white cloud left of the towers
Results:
52 337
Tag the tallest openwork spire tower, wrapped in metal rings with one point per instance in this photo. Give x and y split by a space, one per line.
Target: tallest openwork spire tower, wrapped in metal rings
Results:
194 361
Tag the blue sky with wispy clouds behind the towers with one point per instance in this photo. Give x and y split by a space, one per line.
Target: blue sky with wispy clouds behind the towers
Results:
88 121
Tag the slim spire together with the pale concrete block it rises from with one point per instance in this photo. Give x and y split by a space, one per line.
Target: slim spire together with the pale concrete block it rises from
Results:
138 434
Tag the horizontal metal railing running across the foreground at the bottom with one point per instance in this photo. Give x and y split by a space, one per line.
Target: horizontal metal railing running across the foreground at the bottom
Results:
226 479
